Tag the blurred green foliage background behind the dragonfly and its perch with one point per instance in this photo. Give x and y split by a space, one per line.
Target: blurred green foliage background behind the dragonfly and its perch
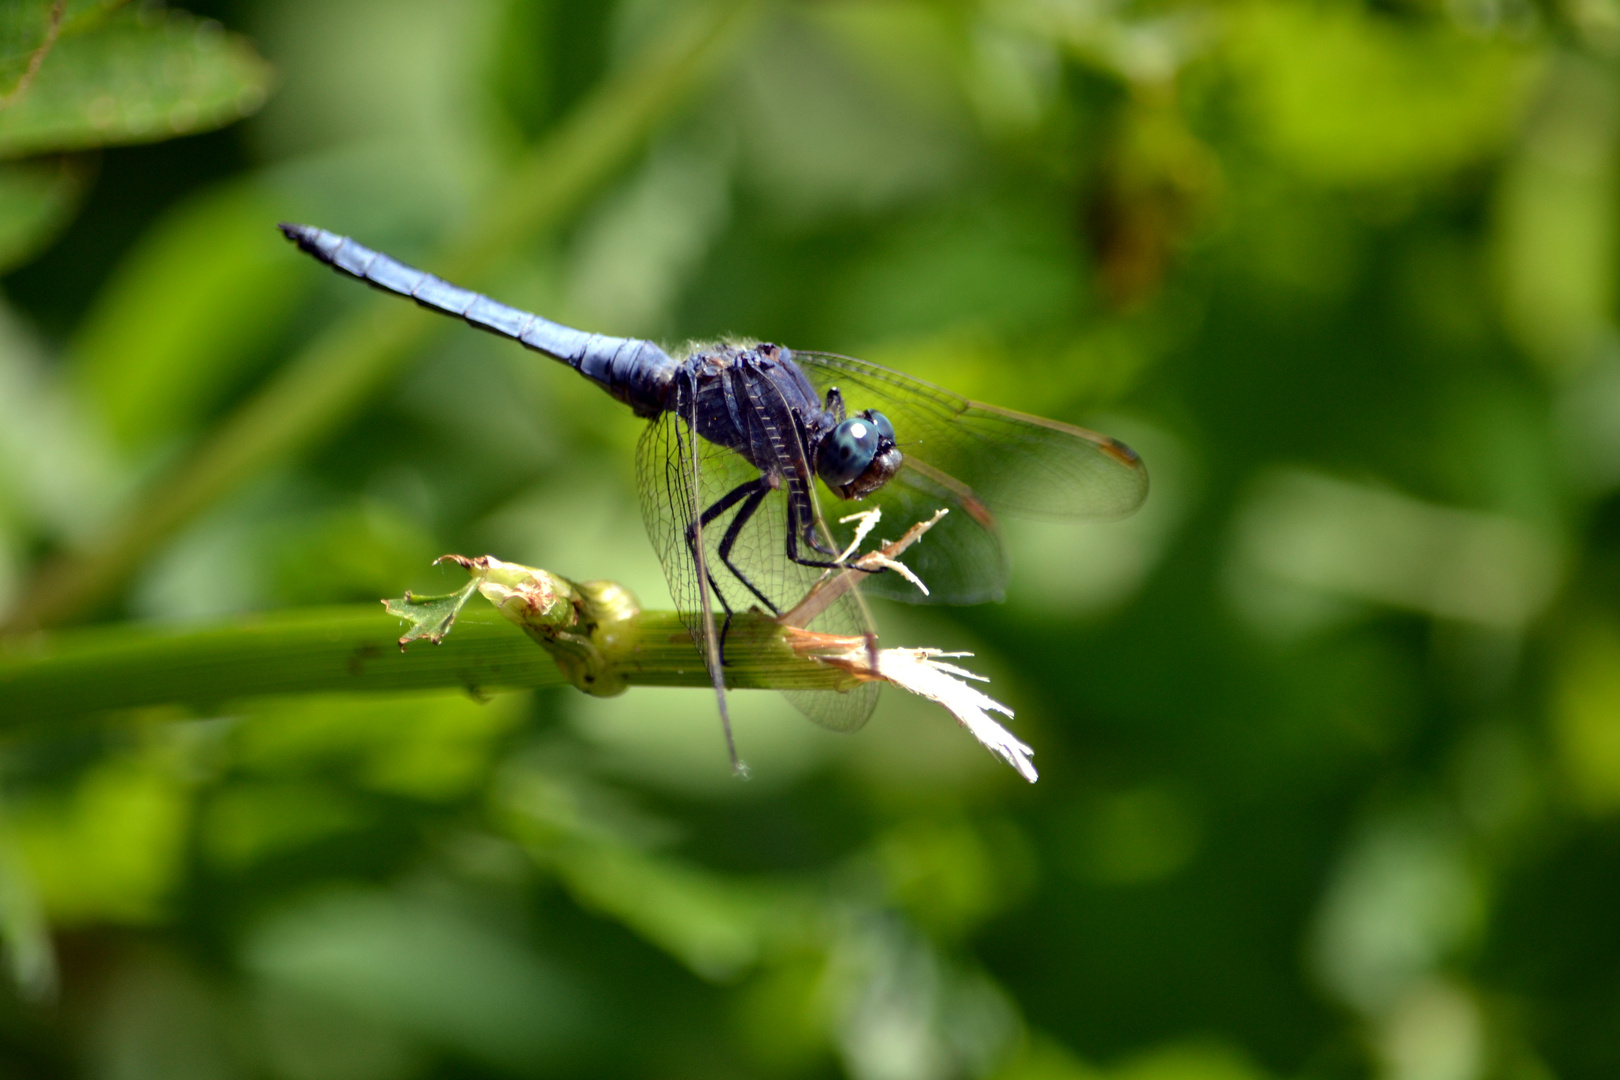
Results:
1329 733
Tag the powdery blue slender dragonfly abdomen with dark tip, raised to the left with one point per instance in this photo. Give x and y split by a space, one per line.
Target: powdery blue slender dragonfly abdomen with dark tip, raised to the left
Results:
631 370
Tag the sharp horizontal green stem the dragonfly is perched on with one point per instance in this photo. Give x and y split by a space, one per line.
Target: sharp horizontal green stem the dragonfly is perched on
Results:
74 673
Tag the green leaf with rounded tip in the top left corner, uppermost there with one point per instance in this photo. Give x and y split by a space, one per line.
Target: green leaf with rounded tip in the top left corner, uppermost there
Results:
137 79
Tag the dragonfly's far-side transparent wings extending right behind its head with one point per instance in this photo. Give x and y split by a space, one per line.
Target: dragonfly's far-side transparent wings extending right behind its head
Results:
981 462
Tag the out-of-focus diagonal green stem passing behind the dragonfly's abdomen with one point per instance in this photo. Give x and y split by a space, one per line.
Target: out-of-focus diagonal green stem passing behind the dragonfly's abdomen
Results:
344 367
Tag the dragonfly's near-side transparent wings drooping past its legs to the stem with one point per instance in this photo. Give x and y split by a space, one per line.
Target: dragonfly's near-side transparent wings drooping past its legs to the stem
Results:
757 568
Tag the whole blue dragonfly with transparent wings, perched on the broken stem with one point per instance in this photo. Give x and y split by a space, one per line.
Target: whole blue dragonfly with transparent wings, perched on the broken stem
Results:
746 441
